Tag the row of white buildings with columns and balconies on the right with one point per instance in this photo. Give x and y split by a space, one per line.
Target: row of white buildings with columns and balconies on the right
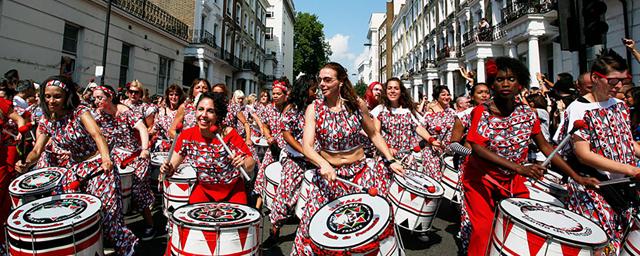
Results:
432 39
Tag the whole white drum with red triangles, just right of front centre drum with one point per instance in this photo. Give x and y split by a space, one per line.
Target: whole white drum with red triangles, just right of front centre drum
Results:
415 201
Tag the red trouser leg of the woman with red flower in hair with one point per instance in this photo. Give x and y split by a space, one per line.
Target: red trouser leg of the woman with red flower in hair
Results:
480 209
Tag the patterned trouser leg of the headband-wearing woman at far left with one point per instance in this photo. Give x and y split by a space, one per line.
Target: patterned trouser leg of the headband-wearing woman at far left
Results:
107 188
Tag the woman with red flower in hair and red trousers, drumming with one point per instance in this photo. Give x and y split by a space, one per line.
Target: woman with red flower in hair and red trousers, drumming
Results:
499 135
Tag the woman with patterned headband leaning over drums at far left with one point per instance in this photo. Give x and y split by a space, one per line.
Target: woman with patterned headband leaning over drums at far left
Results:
71 126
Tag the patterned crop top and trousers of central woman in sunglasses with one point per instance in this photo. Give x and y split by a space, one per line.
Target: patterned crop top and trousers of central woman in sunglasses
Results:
335 132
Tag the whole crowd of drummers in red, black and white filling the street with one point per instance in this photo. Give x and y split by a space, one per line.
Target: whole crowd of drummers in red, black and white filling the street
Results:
314 138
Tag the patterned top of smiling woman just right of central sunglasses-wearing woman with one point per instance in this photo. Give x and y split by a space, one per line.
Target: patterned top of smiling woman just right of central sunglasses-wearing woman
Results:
398 127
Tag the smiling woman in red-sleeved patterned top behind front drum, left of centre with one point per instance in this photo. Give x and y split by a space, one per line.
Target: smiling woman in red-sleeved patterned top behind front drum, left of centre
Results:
219 179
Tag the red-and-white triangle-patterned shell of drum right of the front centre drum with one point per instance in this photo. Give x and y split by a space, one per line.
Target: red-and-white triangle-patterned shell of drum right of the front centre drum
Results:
413 211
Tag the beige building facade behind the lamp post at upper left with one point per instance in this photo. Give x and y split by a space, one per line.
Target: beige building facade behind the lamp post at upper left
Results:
44 38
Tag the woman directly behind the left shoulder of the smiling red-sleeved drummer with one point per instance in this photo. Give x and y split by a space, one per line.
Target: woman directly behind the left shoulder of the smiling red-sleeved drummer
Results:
186 114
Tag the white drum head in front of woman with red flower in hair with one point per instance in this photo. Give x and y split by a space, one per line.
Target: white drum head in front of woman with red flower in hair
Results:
554 221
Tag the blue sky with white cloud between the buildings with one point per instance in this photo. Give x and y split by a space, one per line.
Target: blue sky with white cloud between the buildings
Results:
345 26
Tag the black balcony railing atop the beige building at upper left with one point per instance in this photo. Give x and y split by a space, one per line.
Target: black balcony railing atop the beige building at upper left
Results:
155 16
